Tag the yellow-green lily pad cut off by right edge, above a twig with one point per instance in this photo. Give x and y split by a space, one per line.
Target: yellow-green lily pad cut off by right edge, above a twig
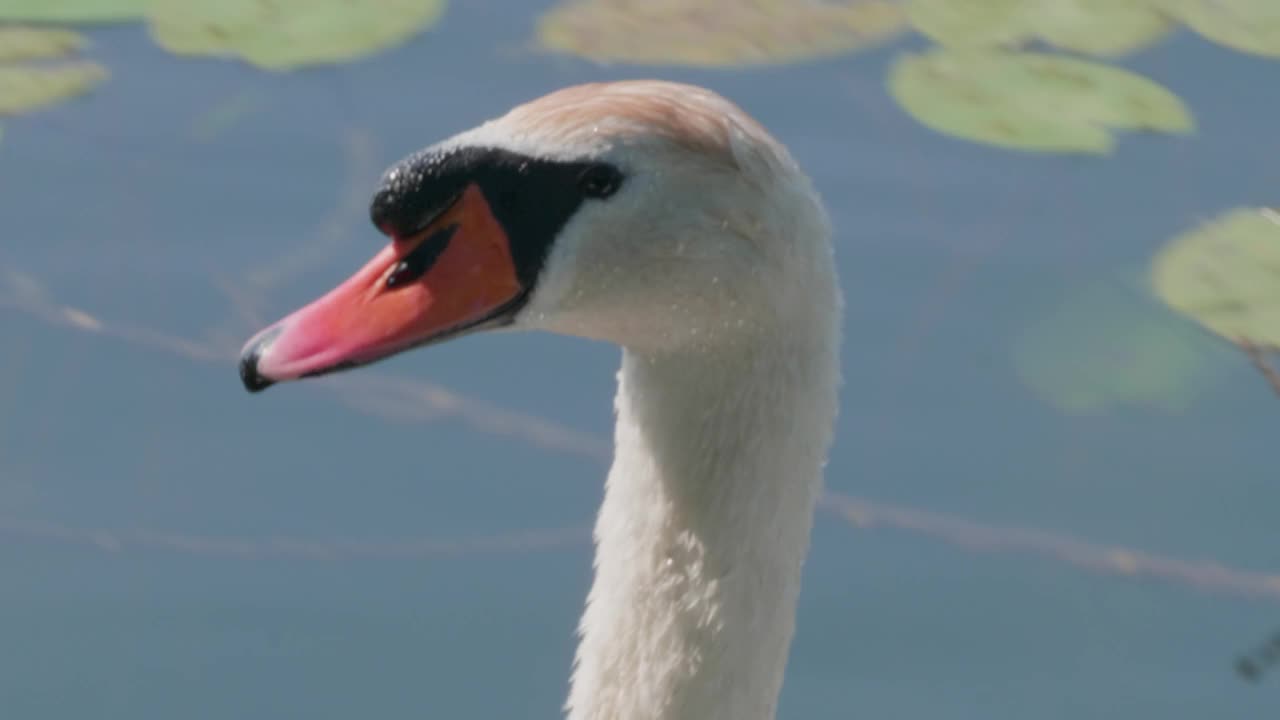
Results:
1227 276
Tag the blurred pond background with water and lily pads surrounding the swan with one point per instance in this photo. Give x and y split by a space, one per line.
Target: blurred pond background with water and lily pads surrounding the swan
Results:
1052 494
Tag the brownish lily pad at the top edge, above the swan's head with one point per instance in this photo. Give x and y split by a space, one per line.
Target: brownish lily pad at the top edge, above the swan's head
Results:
717 34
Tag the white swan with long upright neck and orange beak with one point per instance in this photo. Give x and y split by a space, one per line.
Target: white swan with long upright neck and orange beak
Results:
662 218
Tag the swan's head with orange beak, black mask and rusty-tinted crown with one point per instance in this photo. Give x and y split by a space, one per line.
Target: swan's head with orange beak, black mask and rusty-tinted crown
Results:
650 215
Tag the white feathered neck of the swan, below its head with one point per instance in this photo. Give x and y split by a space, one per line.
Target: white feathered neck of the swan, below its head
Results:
703 531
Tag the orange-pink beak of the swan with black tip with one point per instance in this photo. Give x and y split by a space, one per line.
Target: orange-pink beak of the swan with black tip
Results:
455 276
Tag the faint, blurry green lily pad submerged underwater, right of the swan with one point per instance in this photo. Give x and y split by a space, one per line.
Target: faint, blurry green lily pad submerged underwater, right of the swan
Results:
1110 347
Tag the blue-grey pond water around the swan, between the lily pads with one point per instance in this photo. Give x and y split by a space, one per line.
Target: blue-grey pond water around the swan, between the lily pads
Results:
181 605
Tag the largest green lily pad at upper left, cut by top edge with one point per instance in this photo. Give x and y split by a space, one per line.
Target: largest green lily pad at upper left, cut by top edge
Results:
282 35
